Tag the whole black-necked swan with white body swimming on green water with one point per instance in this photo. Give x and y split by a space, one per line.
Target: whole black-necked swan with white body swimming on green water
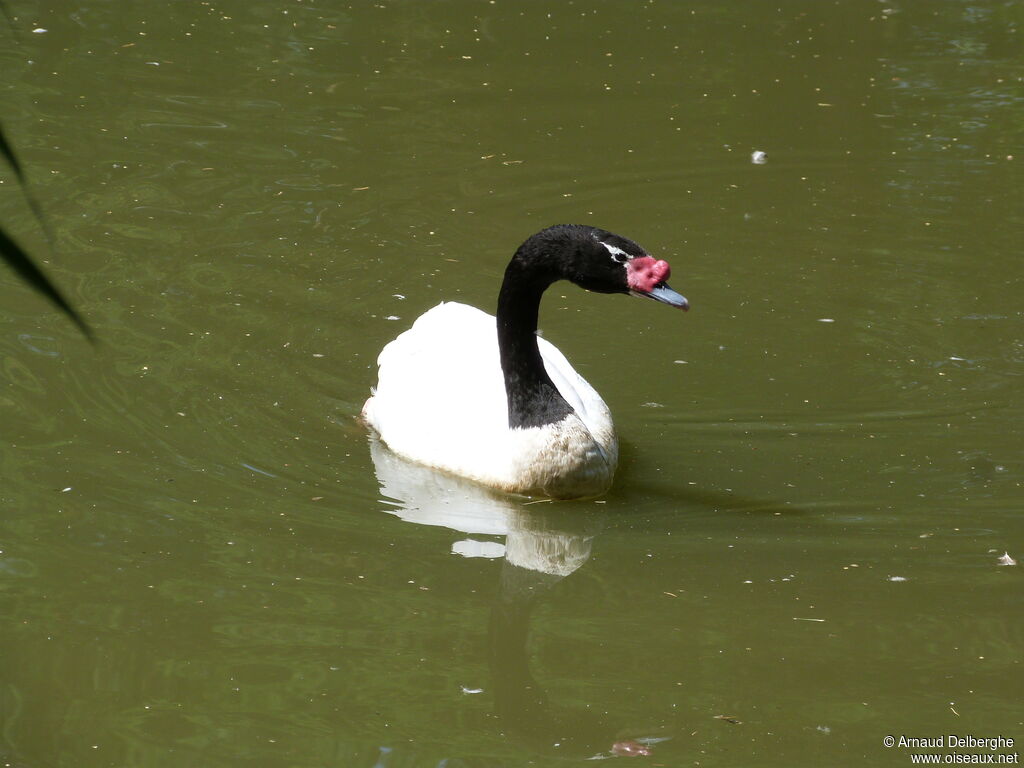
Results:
498 405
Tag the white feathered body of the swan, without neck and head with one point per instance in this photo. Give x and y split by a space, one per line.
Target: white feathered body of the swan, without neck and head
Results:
441 401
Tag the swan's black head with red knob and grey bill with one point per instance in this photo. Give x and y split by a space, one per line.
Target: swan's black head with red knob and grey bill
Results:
600 262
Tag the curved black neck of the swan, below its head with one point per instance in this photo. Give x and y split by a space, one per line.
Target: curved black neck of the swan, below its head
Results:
534 400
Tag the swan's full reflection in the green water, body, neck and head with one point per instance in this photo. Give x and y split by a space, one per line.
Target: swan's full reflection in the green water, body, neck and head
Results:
544 543
